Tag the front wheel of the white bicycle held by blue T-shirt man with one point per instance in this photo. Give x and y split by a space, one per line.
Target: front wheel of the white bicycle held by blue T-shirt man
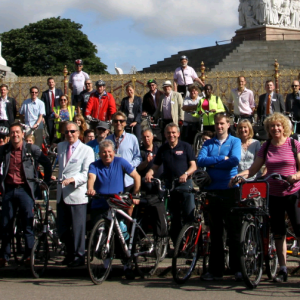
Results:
99 258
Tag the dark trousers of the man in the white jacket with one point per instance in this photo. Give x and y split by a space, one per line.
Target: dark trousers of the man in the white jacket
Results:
71 221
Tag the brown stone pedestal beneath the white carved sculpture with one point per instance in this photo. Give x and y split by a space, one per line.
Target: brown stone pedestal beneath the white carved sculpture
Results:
266 33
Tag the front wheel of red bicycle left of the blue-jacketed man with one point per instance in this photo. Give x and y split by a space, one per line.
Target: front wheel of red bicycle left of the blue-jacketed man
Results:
185 254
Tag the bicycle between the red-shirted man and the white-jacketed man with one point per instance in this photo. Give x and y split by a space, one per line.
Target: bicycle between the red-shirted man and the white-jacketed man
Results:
40 253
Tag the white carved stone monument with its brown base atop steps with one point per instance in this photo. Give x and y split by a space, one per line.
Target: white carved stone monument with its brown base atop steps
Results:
268 20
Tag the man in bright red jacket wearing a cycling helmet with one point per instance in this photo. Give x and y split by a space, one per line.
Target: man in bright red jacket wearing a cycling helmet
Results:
101 104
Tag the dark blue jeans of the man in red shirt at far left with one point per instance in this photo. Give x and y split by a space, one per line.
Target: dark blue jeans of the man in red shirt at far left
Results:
14 198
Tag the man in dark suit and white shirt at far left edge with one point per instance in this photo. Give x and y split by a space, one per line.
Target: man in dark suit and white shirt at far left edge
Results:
8 109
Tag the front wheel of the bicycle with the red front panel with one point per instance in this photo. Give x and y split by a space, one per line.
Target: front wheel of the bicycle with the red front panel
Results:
251 254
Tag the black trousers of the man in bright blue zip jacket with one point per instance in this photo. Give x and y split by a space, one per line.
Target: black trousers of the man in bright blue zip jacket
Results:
219 216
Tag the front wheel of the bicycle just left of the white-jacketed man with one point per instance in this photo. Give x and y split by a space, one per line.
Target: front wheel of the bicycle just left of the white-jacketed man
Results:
39 256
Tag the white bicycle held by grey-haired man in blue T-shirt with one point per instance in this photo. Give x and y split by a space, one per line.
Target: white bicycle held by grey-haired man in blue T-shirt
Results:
142 249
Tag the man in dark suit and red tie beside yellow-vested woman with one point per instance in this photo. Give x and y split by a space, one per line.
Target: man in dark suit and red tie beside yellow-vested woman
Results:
51 99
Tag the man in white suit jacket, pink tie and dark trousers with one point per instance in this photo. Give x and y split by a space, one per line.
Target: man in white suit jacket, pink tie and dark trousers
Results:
74 159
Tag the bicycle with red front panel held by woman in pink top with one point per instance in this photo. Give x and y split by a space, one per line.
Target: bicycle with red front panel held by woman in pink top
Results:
257 244
